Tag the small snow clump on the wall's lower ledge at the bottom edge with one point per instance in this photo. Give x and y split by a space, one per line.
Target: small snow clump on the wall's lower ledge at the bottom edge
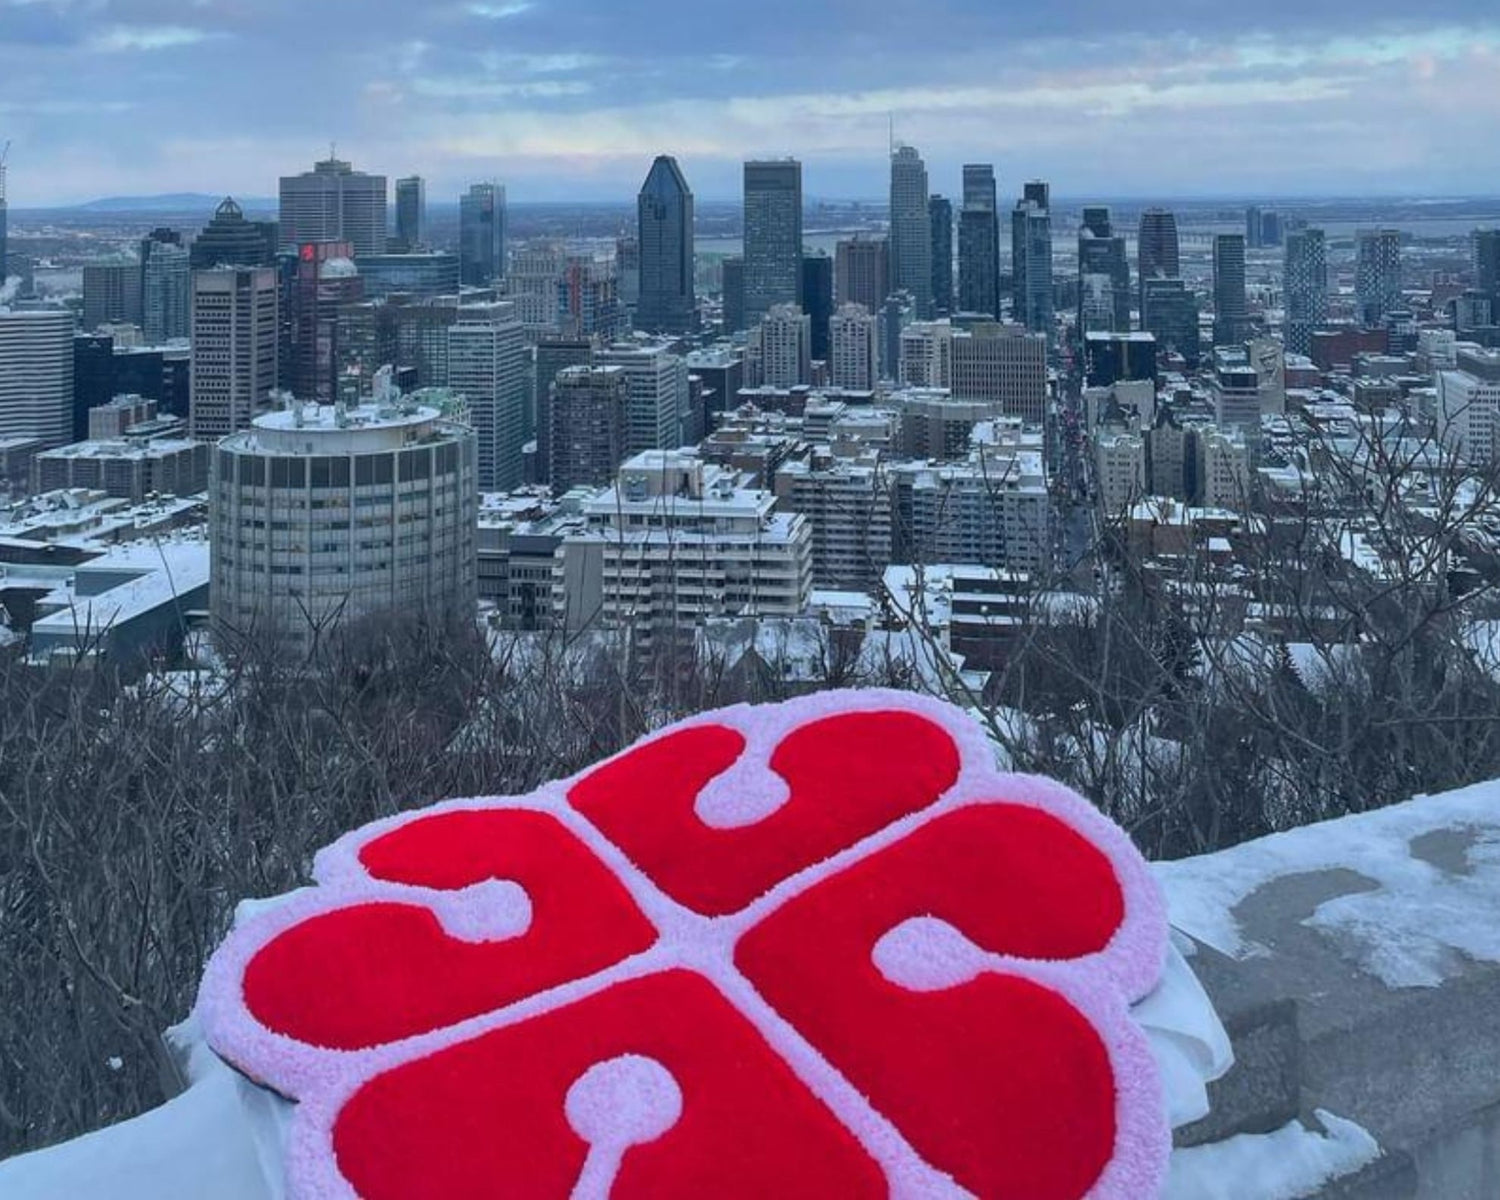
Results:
1291 1163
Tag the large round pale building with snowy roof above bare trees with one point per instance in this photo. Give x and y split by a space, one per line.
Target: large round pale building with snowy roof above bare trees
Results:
322 515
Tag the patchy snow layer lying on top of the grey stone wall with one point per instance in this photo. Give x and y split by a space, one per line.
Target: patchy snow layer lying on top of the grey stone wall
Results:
1409 931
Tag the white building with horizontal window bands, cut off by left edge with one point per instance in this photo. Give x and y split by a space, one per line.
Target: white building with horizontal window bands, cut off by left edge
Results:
37 376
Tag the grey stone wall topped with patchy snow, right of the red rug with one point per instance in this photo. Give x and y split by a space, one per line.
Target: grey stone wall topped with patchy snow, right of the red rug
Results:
1357 967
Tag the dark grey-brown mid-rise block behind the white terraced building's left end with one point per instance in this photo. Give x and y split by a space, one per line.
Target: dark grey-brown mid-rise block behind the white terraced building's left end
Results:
587 418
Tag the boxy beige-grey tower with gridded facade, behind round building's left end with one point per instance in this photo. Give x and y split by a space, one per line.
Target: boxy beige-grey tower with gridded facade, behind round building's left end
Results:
235 349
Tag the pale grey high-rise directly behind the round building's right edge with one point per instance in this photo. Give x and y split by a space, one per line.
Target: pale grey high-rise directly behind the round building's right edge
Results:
488 370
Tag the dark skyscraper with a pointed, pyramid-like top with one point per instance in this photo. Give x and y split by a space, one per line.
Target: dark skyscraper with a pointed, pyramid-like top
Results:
668 302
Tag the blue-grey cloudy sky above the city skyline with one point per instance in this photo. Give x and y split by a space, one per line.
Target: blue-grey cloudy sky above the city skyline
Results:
572 98
